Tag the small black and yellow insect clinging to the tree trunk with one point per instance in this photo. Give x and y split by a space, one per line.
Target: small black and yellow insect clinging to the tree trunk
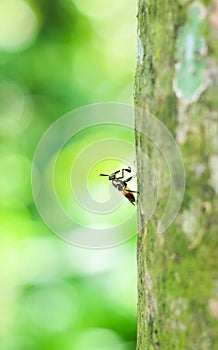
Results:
121 185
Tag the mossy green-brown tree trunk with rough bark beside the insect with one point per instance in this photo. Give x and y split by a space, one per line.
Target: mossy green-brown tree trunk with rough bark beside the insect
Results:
178 271
